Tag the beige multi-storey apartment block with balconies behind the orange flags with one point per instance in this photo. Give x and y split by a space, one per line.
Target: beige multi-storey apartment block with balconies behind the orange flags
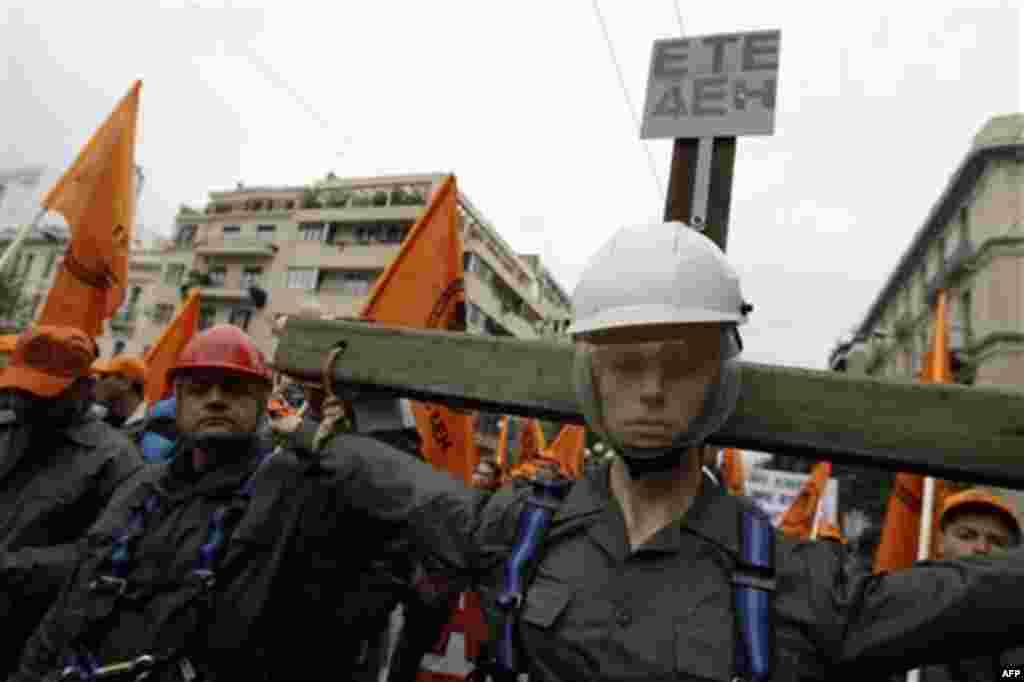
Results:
322 245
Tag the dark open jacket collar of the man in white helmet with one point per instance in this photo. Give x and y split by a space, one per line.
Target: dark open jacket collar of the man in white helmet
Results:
714 515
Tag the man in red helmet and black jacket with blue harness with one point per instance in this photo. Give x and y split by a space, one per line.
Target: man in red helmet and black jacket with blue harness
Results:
231 562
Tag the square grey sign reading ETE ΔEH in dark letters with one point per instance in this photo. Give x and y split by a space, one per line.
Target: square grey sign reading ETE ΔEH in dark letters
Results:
709 87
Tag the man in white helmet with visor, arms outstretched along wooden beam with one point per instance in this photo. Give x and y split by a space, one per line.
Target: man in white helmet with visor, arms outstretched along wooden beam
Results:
646 571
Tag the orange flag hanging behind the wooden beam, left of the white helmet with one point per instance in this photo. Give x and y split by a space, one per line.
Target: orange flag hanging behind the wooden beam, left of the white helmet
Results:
423 288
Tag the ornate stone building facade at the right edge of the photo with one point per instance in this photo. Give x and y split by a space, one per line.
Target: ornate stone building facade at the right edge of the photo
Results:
972 246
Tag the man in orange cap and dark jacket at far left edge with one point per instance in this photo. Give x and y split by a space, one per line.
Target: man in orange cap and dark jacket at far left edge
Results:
58 472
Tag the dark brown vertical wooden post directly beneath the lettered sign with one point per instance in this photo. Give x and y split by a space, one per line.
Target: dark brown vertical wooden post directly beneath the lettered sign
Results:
682 182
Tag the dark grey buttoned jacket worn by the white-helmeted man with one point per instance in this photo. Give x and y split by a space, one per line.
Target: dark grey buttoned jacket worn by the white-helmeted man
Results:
599 610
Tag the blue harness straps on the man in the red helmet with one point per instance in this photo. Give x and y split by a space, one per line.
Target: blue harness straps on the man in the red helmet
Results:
115 586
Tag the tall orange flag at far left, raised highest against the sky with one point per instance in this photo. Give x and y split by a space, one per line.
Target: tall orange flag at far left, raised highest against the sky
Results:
97 197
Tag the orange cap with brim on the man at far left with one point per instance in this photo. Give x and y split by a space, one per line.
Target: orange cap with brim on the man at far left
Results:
48 360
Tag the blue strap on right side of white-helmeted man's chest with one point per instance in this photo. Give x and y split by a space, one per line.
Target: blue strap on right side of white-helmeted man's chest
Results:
754 583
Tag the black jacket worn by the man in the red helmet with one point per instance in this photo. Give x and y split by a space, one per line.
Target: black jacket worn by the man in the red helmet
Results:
295 595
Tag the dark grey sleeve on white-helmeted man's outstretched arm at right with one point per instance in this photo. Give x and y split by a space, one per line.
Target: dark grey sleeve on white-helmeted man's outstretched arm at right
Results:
934 613
